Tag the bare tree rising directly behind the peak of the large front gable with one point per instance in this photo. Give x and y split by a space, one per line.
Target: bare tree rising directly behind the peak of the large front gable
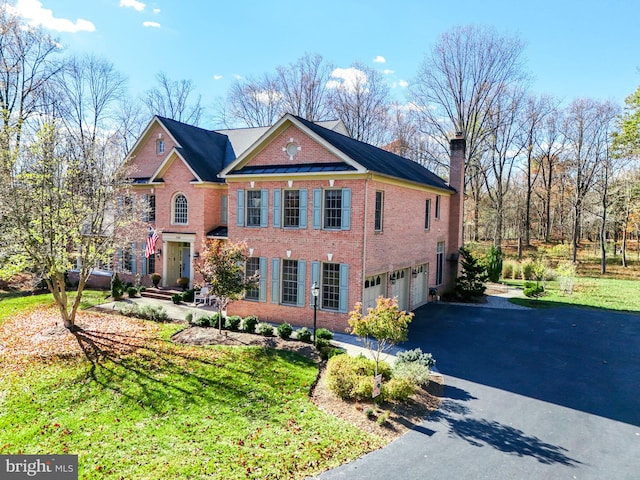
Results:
303 86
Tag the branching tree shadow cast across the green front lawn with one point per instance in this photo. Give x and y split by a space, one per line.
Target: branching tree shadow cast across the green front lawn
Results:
159 375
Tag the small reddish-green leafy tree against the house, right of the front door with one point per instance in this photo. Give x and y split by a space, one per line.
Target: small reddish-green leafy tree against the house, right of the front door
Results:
222 268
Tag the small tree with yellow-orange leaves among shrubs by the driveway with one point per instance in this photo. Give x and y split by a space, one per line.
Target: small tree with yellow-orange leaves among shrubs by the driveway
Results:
382 327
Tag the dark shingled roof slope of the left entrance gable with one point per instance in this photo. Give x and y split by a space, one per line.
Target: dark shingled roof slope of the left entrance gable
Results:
207 152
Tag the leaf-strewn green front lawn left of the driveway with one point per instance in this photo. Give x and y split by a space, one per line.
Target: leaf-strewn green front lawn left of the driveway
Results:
172 411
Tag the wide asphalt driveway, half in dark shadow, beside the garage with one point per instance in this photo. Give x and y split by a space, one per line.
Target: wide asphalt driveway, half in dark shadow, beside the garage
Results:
531 394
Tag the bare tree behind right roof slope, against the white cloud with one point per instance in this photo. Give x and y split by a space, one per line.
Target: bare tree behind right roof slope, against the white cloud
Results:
359 97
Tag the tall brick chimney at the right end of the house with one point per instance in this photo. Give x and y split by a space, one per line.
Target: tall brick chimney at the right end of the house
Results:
457 147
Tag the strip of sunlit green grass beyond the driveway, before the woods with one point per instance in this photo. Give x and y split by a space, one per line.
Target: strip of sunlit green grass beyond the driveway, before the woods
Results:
604 293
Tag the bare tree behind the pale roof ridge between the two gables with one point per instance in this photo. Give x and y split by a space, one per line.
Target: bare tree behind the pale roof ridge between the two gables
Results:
255 102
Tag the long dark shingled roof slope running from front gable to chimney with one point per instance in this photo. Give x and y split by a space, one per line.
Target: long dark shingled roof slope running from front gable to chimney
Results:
377 160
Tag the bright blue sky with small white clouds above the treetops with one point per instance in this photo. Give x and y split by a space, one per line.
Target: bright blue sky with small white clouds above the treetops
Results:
586 48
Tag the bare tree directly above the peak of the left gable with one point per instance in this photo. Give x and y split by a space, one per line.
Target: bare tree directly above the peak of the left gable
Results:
174 99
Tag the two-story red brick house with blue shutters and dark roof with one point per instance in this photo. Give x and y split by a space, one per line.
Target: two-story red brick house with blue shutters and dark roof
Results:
312 204
